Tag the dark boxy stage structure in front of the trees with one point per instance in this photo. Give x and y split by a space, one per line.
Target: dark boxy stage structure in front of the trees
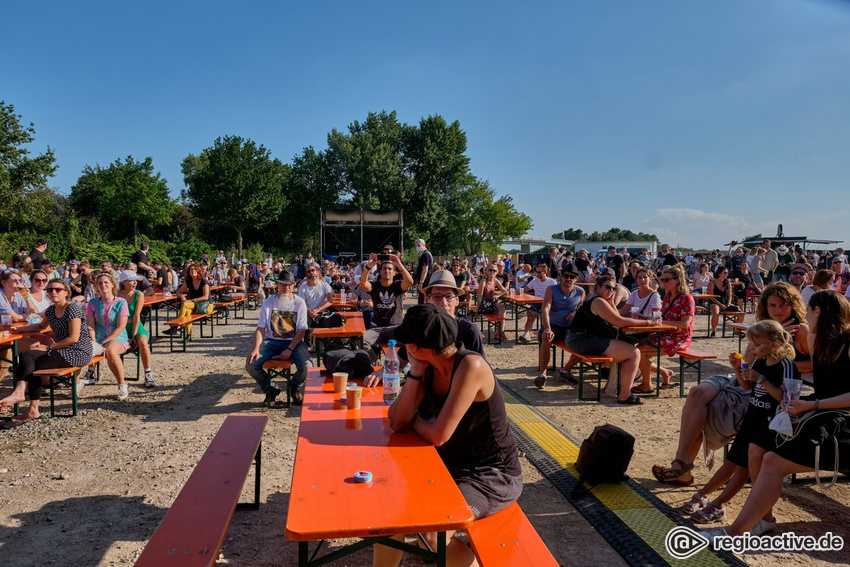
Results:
352 234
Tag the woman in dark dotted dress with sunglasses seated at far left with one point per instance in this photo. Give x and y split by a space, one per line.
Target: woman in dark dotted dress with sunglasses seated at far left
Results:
72 347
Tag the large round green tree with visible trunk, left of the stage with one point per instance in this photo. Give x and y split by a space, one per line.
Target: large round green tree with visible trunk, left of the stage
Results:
237 184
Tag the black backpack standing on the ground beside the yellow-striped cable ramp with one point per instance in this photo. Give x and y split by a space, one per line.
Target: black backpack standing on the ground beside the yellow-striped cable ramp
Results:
604 456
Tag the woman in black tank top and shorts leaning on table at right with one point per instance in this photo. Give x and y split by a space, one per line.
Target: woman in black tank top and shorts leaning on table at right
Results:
594 333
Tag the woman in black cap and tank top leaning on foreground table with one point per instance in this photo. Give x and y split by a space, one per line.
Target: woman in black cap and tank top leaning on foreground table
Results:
452 400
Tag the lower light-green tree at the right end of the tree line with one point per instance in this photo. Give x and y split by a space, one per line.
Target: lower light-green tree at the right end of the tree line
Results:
478 218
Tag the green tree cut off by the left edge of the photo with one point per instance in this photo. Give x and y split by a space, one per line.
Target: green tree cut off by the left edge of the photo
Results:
24 194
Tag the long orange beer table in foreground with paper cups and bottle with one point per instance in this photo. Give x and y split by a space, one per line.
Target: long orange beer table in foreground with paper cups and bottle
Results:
411 491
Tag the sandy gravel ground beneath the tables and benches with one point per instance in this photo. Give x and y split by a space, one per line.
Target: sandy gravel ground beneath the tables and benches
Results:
92 490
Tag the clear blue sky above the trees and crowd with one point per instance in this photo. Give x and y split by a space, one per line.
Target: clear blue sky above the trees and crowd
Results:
699 121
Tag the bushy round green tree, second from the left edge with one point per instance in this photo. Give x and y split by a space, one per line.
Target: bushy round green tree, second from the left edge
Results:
128 193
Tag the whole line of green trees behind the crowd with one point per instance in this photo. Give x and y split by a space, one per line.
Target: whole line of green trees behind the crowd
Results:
237 193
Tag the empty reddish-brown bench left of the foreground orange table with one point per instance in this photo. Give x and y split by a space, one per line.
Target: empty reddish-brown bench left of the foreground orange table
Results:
193 530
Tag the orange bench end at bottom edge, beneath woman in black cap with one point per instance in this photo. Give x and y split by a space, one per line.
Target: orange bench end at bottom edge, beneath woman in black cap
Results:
507 539
